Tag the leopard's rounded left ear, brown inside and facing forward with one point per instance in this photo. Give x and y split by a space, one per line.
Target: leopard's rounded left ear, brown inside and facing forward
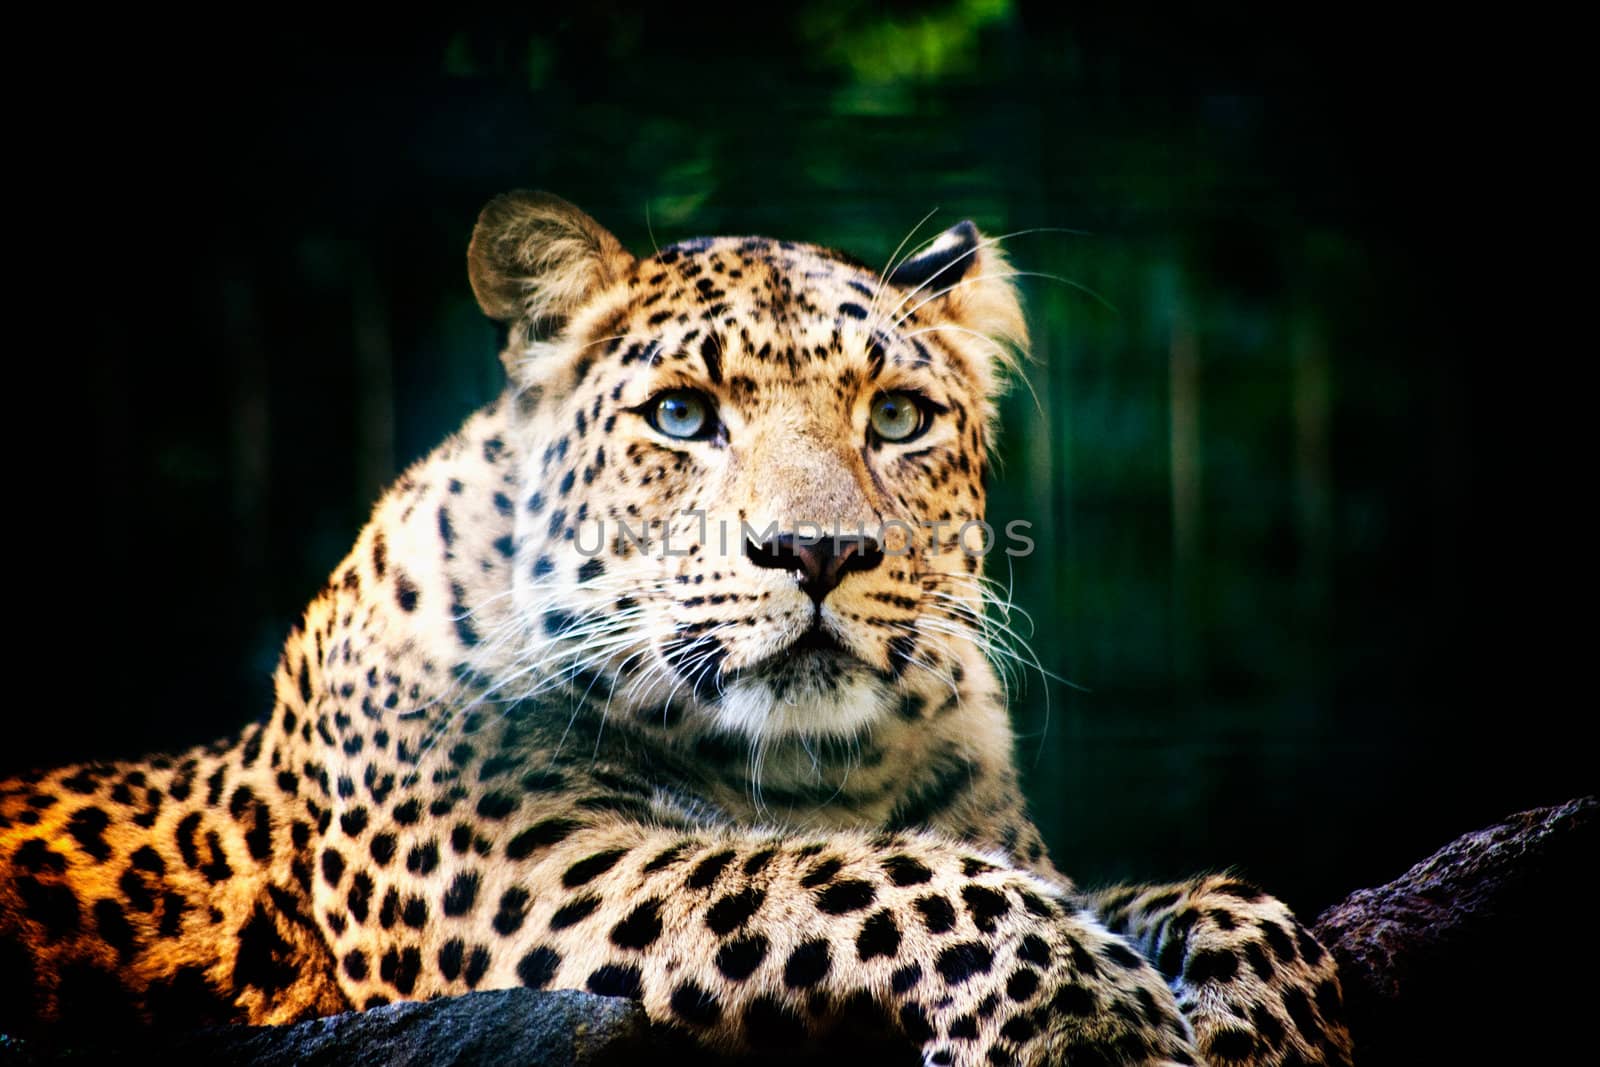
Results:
537 258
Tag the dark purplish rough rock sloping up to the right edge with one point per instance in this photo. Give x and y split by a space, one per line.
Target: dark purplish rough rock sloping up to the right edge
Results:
1478 954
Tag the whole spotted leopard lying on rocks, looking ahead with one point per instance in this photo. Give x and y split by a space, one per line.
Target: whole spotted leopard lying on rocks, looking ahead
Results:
665 677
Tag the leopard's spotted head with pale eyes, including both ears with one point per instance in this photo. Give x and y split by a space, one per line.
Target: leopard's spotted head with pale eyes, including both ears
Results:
754 470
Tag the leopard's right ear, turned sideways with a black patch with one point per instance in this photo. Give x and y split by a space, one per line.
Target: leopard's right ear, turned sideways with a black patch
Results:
964 278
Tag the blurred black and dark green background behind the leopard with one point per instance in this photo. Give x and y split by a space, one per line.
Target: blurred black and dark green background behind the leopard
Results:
1308 463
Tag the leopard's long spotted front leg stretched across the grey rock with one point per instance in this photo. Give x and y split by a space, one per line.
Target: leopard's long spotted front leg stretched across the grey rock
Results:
756 941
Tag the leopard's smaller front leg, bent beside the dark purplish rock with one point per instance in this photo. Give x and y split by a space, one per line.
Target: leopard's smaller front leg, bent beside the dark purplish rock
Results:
1254 983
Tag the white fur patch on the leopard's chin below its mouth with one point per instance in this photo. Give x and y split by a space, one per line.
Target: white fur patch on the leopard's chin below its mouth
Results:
838 709
